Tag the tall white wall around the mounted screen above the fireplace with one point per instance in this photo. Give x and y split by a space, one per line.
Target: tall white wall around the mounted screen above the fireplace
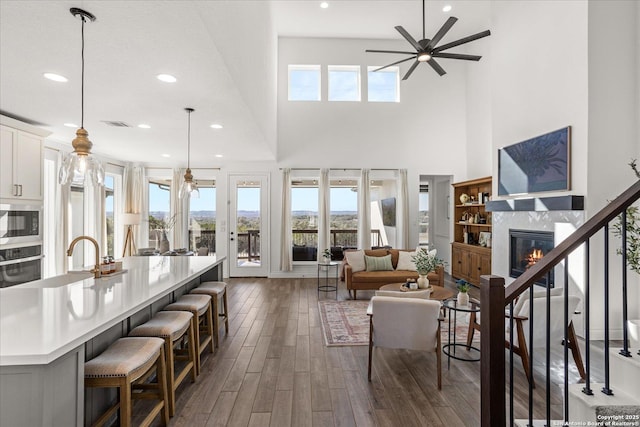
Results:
574 63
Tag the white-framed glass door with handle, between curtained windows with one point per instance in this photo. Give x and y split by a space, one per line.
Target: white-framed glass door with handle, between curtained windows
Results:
248 226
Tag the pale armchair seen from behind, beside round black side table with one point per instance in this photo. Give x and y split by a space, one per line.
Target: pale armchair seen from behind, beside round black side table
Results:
410 323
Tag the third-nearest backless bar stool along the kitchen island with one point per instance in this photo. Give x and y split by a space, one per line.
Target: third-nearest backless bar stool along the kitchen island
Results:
202 322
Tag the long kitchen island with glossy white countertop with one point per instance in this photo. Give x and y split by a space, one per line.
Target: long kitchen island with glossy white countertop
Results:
48 328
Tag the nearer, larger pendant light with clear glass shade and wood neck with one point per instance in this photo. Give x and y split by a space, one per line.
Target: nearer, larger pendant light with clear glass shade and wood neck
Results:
80 164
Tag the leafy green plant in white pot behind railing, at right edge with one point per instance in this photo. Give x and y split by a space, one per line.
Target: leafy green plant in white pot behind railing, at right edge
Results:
632 227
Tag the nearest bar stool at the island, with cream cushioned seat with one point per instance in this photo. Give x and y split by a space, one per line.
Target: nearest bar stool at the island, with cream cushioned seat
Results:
127 364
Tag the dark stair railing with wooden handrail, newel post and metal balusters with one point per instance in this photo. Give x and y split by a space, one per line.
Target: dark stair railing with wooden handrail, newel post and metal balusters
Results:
496 297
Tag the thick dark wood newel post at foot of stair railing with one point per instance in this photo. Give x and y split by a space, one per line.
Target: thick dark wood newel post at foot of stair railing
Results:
492 361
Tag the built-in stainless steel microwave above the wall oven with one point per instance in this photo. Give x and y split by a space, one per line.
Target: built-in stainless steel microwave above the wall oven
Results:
20 224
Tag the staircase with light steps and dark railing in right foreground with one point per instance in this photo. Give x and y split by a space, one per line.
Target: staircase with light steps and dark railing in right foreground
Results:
609 399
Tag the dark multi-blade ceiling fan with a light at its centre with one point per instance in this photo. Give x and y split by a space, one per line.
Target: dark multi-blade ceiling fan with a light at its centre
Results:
427 49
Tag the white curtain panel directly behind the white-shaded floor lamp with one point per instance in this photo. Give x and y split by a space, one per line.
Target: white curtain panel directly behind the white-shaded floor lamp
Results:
135 201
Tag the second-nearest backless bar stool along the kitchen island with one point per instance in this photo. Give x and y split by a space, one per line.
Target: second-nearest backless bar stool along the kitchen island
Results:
174 327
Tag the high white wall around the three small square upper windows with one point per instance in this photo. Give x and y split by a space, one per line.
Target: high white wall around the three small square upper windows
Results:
410 134
